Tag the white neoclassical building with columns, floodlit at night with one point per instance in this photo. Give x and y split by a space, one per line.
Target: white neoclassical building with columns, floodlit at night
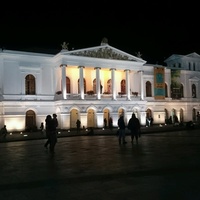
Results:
95 83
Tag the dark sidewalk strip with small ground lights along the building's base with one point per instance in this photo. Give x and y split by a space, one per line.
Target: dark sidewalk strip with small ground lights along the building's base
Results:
21 136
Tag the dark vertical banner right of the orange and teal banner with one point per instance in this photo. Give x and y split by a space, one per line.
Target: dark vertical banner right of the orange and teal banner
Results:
175 84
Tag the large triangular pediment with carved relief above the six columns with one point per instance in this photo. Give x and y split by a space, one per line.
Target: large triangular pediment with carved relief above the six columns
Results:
104 52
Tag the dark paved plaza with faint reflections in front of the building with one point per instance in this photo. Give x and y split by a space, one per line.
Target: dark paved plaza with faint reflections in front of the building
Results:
161 166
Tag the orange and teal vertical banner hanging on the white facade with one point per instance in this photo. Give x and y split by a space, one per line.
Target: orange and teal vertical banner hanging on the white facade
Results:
159 83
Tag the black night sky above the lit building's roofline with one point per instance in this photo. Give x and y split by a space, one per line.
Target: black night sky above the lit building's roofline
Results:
155 29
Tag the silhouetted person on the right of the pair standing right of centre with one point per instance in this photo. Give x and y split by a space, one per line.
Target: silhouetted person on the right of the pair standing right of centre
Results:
134 127
